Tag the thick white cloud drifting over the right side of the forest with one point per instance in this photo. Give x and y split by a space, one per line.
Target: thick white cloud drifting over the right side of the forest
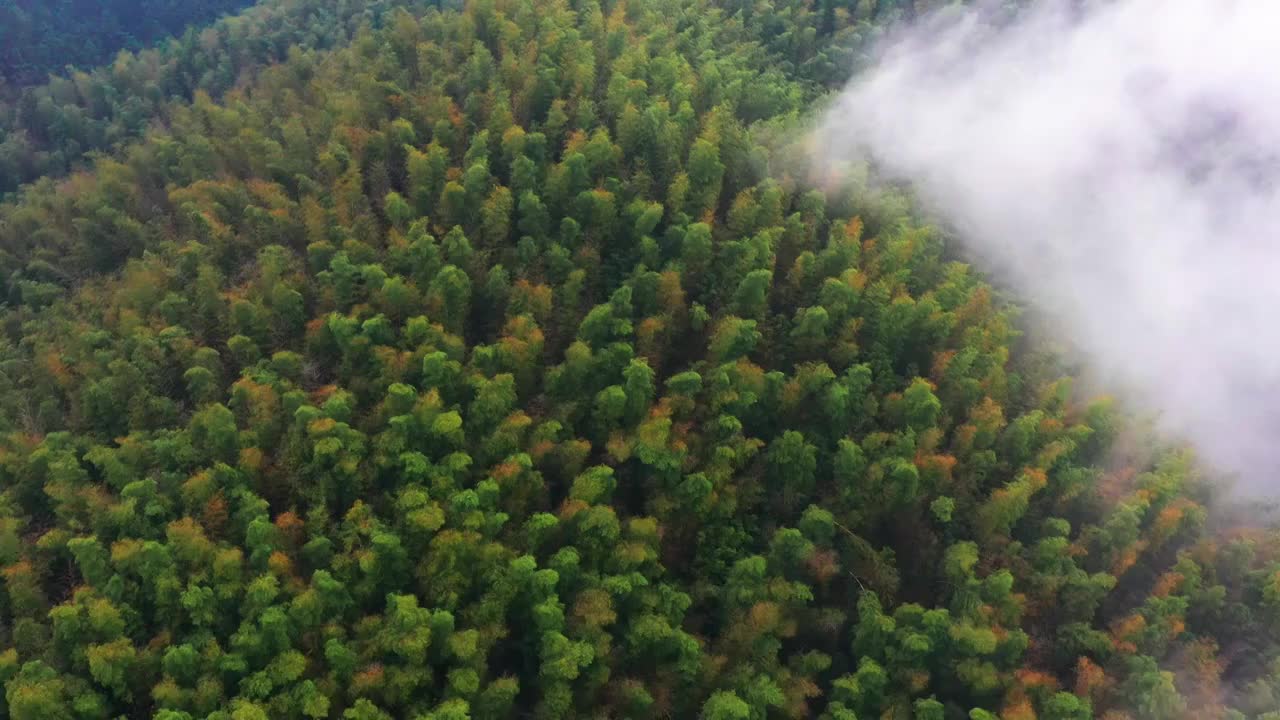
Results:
1117 167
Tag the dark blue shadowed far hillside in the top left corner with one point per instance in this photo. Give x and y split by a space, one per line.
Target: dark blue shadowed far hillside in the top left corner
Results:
43 37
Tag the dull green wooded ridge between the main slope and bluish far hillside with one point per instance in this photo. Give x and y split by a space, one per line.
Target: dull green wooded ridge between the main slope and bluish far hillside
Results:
47 130
